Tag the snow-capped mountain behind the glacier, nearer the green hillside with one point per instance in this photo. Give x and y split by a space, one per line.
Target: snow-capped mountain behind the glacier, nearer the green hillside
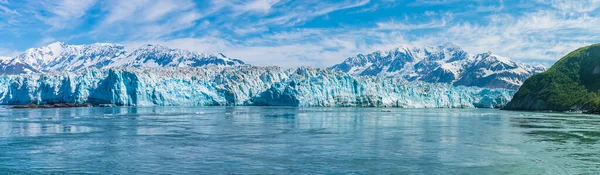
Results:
447 63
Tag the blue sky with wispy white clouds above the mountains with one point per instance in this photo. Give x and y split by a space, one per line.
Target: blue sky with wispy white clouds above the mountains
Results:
316 33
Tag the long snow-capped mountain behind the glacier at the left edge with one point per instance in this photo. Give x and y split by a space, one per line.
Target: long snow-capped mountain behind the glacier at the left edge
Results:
62 57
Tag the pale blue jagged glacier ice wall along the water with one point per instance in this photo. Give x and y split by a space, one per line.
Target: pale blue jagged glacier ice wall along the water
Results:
238 85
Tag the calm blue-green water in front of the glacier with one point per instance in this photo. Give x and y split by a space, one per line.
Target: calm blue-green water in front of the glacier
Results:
277 140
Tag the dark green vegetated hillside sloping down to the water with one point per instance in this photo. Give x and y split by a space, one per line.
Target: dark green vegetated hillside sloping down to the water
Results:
572 83
